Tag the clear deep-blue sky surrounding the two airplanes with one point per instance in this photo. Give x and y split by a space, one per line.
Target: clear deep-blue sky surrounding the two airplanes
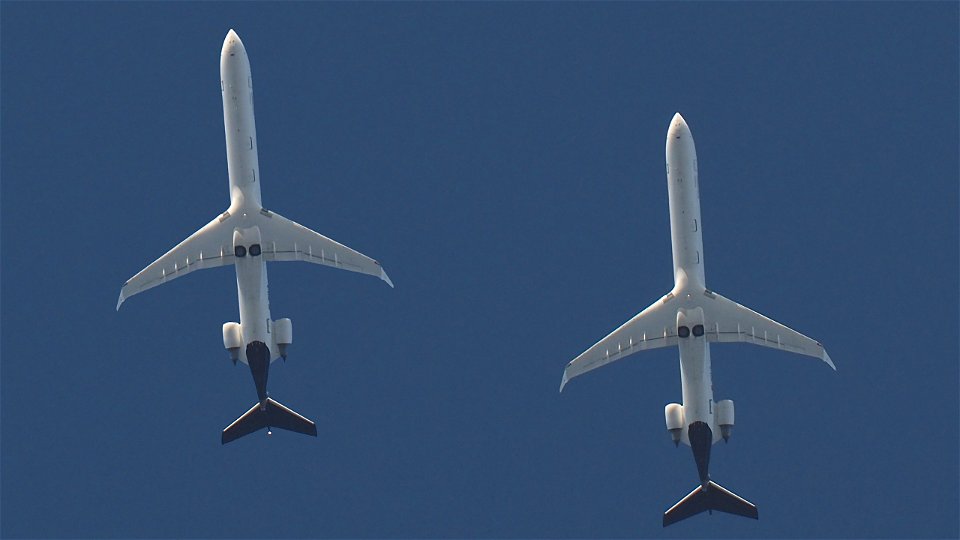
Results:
505 163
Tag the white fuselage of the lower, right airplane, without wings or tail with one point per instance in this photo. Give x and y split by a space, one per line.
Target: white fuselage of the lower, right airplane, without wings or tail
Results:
686 234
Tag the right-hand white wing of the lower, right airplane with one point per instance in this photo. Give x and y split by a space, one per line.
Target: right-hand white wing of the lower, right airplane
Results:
728 321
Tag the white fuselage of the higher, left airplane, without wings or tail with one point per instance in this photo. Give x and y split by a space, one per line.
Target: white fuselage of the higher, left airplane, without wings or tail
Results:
243 168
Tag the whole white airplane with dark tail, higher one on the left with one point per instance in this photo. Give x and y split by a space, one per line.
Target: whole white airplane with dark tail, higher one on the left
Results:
247 235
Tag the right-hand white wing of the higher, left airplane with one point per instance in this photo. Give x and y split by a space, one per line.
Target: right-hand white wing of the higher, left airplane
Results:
285 240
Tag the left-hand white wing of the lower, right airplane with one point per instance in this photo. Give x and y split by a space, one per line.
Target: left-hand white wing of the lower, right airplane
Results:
652 328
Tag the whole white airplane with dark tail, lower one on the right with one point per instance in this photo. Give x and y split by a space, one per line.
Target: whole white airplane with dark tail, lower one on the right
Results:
691 316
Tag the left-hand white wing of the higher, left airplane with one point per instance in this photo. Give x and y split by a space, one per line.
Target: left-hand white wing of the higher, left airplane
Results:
209 247
